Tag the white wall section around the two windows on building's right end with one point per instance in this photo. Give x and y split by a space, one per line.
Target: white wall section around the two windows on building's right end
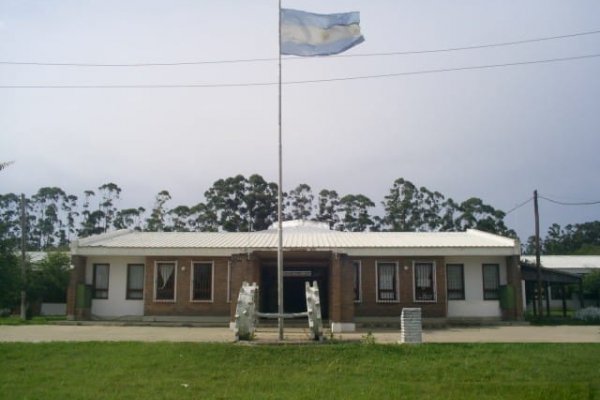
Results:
474 305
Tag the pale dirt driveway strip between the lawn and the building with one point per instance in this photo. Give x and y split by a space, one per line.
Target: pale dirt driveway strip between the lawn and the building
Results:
513 334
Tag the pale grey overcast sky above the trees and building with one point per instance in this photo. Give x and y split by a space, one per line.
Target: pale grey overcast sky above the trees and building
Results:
496 133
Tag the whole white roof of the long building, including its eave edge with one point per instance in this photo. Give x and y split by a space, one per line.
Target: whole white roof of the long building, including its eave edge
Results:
299 235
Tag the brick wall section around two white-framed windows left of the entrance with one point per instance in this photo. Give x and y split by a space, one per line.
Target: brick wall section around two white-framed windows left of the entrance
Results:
183 304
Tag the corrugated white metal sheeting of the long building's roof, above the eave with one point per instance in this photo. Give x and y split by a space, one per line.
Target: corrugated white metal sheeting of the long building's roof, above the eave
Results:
296 238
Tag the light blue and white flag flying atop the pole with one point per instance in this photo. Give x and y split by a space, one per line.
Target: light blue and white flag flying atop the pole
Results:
307 34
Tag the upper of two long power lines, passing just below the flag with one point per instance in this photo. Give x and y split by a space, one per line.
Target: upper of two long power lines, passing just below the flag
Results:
249 60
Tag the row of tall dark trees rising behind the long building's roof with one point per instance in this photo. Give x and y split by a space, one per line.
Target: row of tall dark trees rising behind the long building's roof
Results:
240 204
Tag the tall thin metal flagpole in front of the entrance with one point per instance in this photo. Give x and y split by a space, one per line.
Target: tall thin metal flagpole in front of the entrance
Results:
279 205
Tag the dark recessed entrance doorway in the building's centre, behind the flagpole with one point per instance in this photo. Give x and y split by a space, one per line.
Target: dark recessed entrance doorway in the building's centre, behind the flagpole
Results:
294 298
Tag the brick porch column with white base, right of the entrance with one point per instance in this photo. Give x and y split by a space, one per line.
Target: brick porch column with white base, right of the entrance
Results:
341 304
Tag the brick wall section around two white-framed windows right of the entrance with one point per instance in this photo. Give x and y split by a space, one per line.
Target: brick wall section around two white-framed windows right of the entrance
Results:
370 307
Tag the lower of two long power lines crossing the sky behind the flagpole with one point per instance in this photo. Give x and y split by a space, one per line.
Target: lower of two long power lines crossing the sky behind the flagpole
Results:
350 78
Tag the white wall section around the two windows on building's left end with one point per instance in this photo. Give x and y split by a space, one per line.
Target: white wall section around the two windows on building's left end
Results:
116 305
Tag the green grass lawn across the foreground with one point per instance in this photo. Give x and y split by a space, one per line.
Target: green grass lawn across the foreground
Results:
126 370
